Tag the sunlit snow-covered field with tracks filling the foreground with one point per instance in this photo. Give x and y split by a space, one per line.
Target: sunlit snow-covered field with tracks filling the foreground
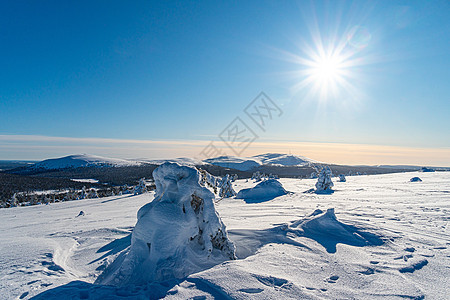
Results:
50 252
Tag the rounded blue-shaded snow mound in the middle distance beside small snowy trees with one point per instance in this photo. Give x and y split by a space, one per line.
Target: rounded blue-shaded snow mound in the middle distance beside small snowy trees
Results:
263 191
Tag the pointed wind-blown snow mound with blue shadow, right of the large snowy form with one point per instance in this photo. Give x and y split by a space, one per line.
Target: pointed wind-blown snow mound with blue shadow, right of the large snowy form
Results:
324 228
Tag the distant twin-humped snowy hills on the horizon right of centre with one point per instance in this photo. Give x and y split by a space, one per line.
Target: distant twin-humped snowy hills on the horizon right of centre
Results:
249 163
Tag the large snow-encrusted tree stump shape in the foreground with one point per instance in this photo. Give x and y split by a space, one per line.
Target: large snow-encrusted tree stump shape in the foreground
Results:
176 234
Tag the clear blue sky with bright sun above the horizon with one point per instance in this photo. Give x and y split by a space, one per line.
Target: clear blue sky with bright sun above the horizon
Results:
182 71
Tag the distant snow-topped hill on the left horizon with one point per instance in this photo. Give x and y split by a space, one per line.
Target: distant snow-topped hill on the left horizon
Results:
83 160
